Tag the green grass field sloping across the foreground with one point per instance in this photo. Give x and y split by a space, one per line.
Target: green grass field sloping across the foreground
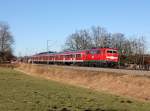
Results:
20 92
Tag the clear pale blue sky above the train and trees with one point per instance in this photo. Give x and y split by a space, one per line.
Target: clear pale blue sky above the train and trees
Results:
34 22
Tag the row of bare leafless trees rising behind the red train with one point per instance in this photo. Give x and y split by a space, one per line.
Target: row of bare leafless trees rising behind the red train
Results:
98 36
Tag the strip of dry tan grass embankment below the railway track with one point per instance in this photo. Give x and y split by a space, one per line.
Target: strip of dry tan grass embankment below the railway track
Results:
134 86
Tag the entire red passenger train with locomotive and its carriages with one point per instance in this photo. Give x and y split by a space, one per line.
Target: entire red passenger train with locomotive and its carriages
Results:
91 57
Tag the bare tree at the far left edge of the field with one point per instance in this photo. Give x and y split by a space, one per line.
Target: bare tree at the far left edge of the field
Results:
6 42
